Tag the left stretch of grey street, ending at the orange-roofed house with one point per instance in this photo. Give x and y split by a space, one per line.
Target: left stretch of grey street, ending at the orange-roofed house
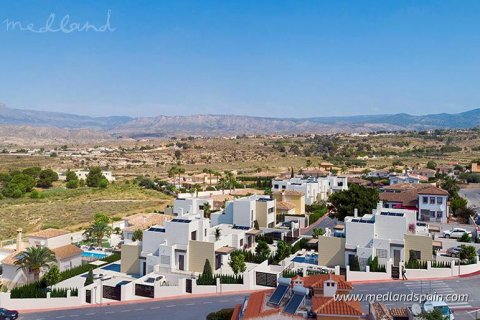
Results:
186 309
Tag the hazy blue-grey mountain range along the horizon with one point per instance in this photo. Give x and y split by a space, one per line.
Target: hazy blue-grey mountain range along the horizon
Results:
220 125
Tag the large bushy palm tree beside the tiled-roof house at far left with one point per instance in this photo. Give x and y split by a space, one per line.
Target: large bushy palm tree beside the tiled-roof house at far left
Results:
33 259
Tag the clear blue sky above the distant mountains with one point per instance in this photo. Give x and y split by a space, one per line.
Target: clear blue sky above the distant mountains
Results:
264 58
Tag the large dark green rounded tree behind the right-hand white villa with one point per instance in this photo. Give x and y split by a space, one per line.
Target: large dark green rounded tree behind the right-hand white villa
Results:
356 197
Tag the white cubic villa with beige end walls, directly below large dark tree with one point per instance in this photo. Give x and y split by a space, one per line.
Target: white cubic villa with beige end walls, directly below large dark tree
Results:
386 233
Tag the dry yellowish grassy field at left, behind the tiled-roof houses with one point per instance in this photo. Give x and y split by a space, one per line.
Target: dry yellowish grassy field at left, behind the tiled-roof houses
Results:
72 209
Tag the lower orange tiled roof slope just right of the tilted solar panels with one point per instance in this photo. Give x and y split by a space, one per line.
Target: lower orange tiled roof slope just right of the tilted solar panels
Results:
328 305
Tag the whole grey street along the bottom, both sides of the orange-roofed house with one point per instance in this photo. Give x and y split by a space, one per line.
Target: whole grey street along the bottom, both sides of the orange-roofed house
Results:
198 308
